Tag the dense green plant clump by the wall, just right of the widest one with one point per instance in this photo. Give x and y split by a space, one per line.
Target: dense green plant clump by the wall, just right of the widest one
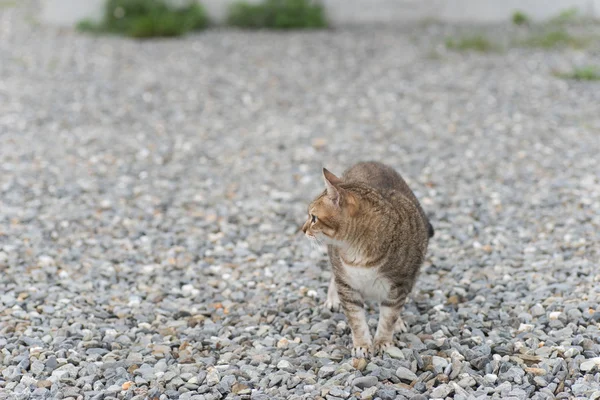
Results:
277 14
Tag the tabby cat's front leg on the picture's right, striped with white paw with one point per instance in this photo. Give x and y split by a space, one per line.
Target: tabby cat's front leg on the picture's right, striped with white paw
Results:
389 318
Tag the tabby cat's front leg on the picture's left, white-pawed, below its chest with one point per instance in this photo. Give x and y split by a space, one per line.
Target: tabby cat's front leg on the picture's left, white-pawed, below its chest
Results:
353 306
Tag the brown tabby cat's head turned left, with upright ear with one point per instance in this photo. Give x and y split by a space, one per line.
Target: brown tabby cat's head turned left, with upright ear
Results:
330 213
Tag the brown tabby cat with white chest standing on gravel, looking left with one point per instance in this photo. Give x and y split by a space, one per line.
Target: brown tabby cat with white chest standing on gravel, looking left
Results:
376 235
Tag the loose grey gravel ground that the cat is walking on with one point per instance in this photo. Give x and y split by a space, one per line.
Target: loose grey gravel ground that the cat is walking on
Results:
152 192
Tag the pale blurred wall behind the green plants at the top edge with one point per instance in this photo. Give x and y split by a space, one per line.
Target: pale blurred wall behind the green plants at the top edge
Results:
340 12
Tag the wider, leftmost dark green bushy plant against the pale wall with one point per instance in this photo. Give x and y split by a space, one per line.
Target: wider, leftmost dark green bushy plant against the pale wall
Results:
148 18
